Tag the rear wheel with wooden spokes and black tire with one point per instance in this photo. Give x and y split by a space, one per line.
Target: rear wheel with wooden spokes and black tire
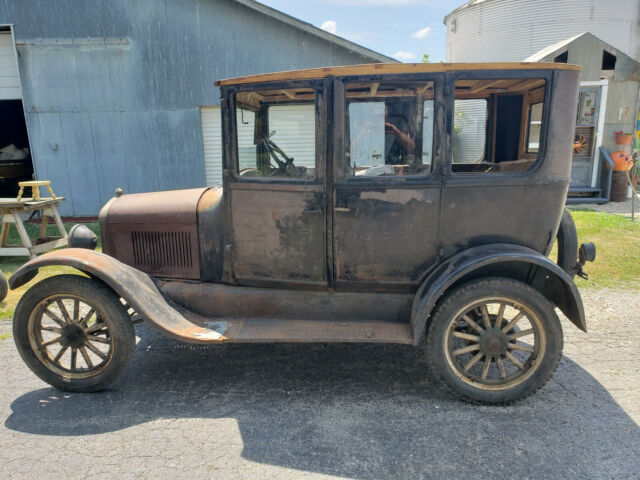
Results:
449 365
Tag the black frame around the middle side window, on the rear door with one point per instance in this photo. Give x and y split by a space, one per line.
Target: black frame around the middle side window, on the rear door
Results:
341 161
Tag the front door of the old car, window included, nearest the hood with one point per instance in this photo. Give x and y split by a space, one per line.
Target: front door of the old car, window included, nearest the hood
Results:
275 184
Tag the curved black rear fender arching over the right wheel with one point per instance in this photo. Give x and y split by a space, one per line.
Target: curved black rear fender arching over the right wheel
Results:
498 260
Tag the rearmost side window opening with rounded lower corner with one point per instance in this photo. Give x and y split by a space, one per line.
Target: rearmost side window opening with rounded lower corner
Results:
497 125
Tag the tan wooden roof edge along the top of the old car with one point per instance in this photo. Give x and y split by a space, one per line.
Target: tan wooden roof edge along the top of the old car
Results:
390 68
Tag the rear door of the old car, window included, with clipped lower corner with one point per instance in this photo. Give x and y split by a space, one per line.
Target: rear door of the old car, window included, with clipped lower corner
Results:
387 184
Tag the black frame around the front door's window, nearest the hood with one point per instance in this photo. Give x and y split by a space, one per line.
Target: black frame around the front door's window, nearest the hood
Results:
231 157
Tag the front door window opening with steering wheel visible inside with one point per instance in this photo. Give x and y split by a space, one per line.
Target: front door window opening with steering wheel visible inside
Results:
276 134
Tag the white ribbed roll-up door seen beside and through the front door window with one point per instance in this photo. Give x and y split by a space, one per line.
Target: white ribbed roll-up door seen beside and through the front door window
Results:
295 135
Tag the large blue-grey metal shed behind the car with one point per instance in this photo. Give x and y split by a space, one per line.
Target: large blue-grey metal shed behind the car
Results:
121 94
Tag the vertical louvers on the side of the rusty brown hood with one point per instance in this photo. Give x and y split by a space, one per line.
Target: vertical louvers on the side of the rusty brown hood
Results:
161 250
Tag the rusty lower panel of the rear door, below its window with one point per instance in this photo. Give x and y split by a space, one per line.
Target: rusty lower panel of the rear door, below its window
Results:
386 235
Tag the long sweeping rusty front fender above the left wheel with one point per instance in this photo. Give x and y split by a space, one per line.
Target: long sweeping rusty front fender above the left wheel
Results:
135 287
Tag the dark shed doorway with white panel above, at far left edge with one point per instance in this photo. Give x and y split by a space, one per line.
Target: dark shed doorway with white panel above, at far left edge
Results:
15 155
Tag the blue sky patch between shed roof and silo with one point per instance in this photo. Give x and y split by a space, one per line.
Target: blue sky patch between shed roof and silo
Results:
402 29
